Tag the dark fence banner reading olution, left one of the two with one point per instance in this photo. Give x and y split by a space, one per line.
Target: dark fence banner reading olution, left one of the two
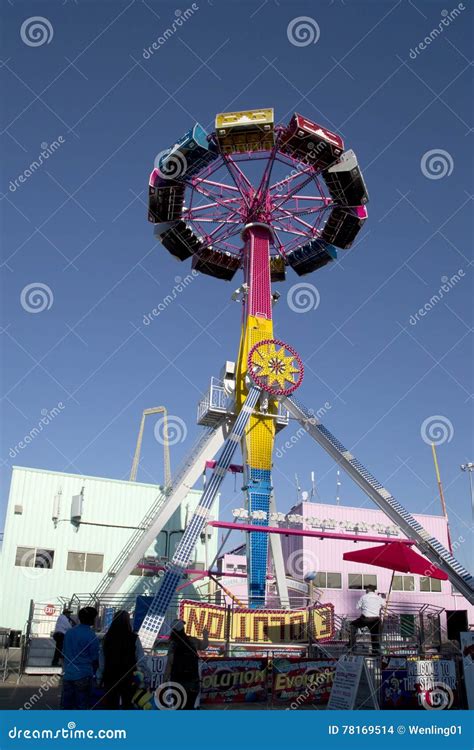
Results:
234 681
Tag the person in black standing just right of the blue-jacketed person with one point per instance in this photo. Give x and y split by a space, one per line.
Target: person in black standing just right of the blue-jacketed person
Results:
119 656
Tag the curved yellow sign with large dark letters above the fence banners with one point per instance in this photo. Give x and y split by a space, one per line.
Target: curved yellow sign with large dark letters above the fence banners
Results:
257 625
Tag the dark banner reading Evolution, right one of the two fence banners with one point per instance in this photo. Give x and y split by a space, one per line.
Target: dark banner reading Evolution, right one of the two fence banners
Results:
300 682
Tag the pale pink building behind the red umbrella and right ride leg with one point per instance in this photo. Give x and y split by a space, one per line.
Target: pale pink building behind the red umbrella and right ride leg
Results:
341 582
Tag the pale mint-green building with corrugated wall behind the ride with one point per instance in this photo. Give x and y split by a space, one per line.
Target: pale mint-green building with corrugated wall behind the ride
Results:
106 501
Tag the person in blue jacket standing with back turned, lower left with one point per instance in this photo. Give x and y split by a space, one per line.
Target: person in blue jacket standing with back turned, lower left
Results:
81 660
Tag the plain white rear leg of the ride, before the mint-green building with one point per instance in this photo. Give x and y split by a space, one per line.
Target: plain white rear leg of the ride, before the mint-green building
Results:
163 508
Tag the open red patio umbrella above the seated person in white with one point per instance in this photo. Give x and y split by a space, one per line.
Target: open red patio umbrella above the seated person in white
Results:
397 557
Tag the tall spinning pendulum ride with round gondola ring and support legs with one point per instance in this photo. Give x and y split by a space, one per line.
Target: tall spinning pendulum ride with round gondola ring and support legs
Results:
256 197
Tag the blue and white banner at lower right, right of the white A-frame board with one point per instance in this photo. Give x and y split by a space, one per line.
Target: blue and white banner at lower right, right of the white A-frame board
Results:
423 684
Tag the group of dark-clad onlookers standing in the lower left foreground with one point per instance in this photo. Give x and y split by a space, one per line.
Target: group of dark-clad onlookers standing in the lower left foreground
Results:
101 673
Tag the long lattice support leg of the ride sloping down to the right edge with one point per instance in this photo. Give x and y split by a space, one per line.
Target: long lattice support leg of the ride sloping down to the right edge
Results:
434 551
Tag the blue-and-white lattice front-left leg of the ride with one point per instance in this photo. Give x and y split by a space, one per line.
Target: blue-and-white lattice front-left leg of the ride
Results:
155 617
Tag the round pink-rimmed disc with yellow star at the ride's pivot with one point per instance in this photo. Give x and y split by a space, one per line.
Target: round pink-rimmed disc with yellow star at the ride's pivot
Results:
275 367
